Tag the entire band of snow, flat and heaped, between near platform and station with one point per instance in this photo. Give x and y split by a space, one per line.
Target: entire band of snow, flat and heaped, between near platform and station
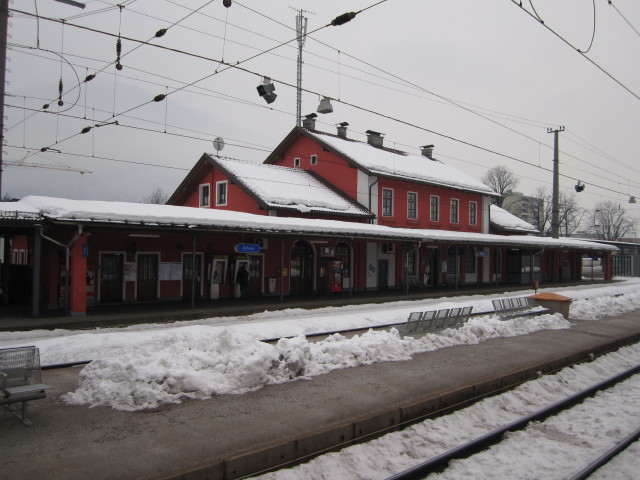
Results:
145 366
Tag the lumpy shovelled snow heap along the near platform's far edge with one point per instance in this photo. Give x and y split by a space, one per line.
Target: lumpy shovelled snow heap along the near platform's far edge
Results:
198 363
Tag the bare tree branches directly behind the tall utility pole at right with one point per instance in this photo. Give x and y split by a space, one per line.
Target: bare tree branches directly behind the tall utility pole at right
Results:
570 214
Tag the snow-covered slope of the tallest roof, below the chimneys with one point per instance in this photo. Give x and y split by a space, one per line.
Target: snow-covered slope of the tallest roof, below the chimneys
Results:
380 161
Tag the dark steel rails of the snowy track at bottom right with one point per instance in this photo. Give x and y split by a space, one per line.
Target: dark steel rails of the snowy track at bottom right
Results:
441 462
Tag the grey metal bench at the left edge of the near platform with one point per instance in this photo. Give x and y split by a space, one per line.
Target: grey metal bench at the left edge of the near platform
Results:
20 378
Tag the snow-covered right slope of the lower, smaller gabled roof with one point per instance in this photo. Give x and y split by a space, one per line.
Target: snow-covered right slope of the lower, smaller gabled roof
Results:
289 188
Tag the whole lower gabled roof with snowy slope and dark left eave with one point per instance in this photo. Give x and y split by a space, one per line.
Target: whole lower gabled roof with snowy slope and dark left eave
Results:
274 187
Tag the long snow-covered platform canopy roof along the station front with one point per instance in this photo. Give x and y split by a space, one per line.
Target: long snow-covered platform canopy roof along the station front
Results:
150 216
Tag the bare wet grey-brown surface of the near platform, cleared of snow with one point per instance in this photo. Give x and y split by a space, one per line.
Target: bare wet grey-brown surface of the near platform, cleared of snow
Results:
231 435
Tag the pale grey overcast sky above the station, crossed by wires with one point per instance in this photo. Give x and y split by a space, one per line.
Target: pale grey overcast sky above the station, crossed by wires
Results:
392 68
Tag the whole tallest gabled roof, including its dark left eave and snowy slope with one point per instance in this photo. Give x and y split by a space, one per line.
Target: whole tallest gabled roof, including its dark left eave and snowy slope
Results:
386 162
